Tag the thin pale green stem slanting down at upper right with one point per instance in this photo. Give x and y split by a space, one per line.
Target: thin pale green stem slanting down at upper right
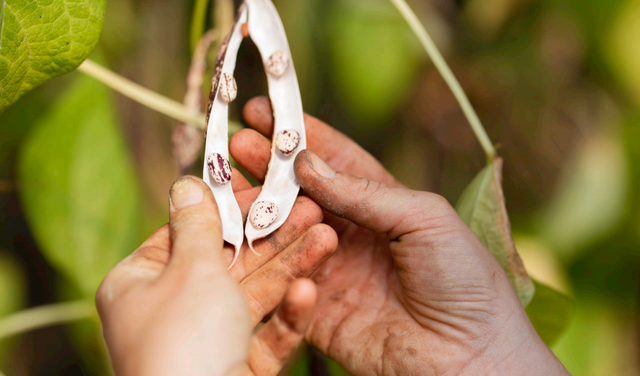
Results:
448 76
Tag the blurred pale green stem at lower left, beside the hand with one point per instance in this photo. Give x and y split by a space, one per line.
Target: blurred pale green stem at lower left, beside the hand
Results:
48 315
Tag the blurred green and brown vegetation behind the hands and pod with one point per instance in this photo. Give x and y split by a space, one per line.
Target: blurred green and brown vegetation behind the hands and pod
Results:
85 172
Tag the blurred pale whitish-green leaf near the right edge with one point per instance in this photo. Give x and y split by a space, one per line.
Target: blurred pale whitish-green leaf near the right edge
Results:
590 201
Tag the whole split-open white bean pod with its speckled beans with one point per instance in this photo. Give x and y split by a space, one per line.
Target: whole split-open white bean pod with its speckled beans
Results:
280 188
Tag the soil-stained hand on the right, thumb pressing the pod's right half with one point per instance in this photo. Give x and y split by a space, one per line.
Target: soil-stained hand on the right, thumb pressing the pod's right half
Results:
411 290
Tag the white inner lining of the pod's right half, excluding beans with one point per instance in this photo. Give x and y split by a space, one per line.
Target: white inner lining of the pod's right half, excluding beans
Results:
280 186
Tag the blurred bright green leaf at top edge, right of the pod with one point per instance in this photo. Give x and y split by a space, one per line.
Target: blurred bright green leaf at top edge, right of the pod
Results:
375 57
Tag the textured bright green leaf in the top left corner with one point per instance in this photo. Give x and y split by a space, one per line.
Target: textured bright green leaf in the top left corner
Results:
43 39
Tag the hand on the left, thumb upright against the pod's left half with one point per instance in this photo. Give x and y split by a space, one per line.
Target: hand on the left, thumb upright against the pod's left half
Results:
172 308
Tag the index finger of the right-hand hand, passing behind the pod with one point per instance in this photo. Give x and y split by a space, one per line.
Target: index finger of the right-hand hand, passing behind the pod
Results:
338 150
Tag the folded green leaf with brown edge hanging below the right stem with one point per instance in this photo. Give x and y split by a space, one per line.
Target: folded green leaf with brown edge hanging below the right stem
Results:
483 209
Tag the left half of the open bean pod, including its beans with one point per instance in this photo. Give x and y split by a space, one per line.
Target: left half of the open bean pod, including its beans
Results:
217 170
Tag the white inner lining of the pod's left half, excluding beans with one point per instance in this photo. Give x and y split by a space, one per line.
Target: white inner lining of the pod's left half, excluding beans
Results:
217 138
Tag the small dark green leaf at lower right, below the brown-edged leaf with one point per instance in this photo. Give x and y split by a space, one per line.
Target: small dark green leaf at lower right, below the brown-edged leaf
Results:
550 312
